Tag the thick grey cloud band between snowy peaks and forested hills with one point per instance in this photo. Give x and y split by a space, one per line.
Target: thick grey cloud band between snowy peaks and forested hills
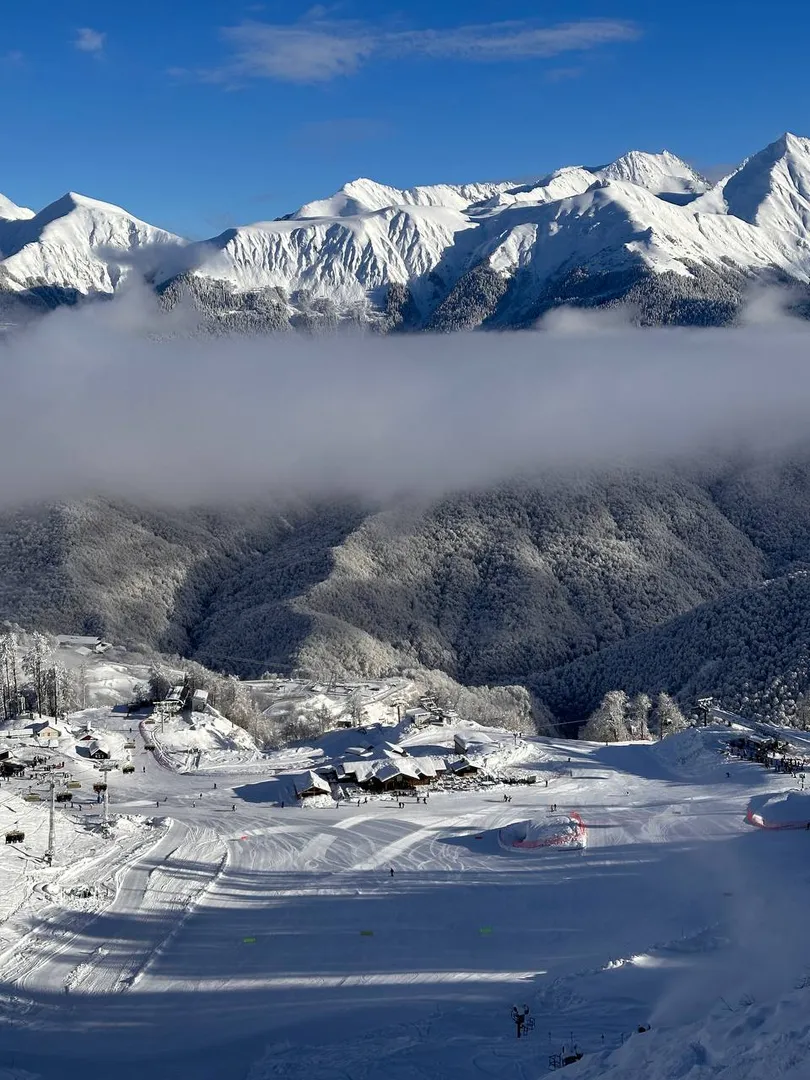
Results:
101 400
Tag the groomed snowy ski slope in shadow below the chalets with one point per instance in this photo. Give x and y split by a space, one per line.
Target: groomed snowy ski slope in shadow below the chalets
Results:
265 942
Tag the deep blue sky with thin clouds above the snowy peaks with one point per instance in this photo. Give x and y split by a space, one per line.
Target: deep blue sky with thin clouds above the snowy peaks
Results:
197 115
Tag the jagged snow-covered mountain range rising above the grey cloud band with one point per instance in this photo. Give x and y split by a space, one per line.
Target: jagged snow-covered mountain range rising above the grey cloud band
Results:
645 229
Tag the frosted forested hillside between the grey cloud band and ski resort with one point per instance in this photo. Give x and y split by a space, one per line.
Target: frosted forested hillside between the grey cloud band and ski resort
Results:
572 586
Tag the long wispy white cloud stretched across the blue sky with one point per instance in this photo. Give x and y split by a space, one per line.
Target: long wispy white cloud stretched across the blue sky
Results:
320 49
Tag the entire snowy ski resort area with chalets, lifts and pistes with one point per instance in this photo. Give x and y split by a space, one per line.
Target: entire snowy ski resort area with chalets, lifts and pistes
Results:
393 892
